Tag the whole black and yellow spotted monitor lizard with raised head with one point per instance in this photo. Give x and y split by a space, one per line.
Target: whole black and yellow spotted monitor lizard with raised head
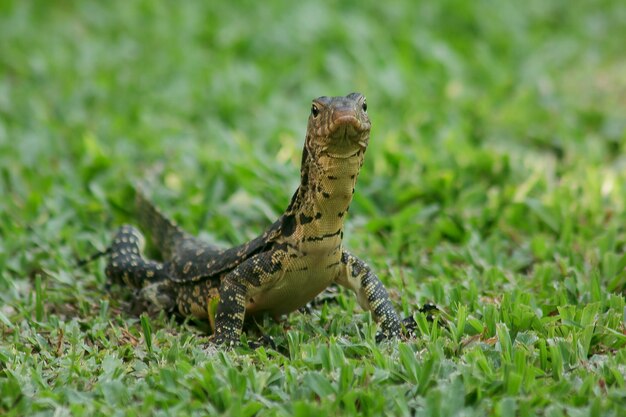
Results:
295 259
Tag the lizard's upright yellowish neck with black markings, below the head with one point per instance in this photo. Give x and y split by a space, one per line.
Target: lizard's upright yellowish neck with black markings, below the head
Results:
321 202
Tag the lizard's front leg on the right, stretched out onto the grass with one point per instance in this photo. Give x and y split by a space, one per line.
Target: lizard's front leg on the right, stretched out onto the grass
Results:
371 294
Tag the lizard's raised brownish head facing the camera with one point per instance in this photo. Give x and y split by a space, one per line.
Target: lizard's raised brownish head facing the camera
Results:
338 126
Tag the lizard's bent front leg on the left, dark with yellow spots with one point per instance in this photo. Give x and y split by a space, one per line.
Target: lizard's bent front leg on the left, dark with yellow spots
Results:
240 285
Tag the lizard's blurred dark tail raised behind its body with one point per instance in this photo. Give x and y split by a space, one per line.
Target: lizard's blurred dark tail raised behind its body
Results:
164 232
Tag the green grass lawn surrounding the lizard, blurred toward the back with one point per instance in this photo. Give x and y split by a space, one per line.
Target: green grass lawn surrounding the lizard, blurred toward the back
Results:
494 186
